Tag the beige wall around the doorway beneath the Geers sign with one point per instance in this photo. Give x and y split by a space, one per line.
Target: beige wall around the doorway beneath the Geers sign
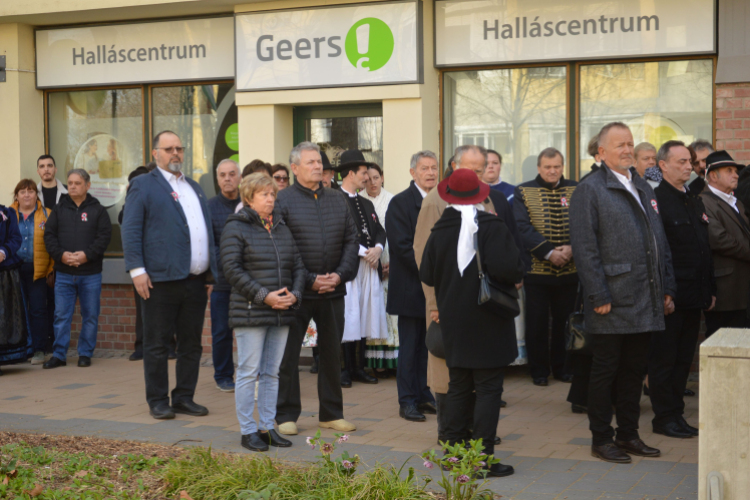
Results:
410 112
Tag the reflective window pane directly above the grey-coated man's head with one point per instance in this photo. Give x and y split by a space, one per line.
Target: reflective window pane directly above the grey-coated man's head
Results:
658 100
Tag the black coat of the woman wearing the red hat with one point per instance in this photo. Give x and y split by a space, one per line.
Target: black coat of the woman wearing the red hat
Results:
474 338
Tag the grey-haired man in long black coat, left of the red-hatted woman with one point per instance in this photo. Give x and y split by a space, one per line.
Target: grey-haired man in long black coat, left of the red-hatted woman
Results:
405 295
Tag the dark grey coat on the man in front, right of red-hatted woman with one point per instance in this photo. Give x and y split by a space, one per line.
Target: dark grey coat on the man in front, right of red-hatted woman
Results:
621 253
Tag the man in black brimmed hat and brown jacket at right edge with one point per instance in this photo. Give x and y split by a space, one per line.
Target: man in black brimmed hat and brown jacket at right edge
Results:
729 237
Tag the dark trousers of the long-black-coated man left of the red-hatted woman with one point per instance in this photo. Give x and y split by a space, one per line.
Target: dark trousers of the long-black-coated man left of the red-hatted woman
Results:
411 377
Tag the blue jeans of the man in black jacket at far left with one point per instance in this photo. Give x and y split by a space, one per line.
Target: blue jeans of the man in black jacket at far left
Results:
88 290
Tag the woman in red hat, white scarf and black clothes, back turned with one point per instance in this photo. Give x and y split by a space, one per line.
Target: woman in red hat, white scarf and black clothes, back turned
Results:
478 344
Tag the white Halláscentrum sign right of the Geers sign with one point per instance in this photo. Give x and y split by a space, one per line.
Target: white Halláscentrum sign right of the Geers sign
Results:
470 32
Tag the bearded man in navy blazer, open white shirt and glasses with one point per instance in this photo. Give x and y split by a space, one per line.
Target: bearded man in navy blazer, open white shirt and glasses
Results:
168 242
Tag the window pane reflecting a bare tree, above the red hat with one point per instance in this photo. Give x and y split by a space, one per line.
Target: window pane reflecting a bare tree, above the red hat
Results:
517 112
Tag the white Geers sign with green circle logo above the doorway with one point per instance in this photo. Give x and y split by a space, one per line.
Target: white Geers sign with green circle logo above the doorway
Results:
368 44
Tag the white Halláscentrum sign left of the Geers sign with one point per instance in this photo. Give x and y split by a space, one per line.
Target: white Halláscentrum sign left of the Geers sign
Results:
184 50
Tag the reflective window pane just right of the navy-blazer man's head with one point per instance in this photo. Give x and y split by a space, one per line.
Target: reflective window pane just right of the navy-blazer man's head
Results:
201 116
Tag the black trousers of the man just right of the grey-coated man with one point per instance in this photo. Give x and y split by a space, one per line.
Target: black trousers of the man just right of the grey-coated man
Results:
669 362
